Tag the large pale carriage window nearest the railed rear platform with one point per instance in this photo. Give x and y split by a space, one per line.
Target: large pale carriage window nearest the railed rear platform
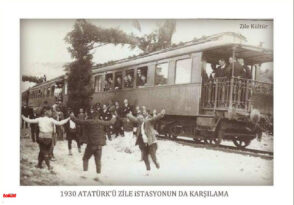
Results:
183 71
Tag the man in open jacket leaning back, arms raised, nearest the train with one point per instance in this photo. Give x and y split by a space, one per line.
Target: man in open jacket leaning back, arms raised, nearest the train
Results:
146 137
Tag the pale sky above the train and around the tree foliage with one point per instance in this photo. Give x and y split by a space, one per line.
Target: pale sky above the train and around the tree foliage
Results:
44 51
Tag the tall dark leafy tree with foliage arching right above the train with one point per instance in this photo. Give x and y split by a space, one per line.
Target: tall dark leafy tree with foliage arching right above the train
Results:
85 37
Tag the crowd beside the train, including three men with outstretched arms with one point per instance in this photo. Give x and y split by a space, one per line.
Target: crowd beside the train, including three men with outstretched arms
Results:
102 122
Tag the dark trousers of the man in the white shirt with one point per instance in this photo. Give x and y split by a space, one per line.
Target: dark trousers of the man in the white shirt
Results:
44 154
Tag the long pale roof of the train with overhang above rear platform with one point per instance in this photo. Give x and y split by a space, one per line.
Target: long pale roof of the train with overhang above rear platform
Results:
215 46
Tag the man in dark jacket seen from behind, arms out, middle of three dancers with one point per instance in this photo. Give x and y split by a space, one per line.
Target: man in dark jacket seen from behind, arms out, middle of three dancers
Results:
94 138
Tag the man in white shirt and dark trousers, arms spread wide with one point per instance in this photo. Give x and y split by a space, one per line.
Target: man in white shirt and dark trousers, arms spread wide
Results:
46 125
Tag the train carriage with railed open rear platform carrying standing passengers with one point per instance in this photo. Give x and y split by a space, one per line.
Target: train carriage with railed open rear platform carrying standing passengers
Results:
177 79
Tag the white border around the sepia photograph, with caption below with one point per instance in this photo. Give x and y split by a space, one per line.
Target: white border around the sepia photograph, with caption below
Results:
280 11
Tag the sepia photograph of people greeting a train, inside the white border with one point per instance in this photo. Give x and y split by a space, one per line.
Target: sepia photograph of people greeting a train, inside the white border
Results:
146 102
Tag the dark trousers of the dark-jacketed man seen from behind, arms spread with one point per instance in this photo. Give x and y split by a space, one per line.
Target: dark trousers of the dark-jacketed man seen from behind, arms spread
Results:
95 150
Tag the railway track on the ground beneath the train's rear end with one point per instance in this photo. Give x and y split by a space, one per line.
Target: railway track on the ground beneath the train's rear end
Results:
225 148
